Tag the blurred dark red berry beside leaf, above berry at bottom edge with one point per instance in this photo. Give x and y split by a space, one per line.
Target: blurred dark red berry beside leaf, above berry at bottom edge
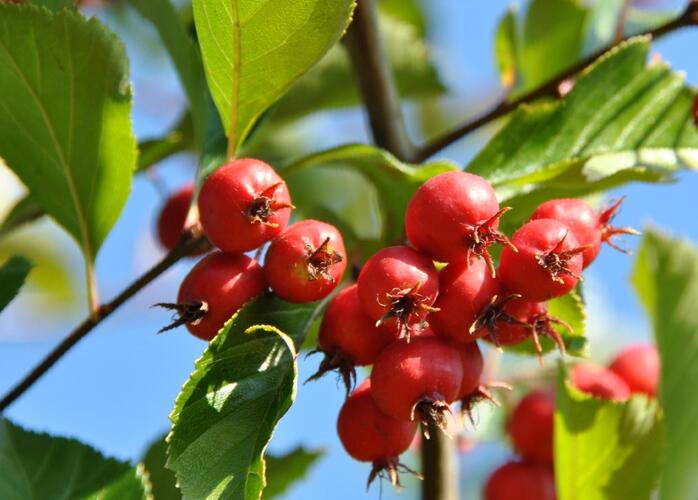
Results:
531 426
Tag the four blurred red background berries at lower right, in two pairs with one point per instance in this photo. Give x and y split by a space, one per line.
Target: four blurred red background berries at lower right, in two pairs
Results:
530 426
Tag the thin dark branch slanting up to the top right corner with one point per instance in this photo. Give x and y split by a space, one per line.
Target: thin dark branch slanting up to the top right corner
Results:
688 18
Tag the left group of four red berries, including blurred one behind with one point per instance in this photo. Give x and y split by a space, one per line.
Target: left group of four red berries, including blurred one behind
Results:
243 206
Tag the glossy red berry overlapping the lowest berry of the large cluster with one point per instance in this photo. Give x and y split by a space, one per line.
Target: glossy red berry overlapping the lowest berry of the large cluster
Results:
417 379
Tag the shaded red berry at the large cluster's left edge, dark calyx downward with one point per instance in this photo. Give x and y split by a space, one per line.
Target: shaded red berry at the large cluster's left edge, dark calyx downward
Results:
348 338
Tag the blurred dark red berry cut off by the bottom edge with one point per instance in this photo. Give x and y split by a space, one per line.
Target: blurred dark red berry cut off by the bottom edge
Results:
521 481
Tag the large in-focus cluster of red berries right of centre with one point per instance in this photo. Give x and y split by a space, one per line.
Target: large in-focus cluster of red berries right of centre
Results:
418 325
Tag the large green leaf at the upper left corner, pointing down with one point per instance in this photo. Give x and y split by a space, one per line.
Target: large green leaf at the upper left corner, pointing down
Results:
65 126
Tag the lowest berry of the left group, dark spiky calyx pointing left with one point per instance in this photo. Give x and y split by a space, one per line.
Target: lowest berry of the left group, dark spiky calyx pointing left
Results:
215 288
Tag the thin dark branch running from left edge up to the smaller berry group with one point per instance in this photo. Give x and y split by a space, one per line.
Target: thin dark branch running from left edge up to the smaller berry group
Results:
185 247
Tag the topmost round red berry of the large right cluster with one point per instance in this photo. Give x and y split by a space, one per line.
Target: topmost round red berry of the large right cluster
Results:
454 215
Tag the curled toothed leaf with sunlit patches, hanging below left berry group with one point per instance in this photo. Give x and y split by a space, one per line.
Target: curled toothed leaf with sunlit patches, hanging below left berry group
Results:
227 410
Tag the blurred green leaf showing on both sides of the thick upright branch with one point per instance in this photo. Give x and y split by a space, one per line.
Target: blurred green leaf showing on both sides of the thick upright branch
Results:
330 85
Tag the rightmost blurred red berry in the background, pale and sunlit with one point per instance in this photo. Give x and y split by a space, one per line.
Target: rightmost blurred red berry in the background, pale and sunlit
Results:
638 366
